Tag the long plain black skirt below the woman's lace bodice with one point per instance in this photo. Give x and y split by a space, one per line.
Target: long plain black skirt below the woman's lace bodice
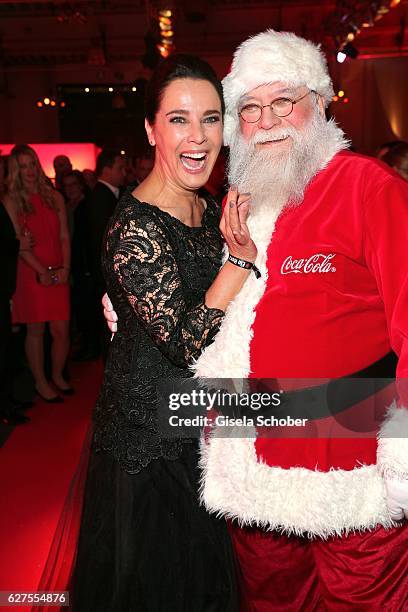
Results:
146 544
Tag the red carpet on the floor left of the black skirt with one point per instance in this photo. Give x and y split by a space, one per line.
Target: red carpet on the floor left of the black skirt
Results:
37 464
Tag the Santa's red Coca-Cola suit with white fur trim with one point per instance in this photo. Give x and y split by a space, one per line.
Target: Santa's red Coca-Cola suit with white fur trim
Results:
332 300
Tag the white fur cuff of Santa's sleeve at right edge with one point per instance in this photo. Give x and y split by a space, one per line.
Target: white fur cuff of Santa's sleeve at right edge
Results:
392 452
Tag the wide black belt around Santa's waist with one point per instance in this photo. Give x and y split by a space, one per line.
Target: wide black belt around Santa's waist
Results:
331 398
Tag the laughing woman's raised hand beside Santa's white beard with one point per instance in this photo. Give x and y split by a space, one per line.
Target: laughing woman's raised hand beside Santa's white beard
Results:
234 228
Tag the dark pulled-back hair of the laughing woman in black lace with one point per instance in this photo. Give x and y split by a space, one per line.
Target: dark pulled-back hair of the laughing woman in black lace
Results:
178 66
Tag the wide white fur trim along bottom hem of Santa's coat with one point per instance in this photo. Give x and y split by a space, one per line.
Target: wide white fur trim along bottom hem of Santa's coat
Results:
295 501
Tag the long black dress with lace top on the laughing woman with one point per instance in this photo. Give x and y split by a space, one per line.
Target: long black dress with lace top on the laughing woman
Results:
145 543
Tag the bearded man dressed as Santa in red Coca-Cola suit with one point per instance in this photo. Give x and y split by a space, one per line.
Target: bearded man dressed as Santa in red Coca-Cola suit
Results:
318 521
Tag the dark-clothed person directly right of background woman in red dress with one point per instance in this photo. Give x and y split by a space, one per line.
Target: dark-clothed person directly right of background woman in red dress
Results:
84 306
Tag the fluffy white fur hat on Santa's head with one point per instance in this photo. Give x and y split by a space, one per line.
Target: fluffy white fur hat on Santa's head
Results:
270 57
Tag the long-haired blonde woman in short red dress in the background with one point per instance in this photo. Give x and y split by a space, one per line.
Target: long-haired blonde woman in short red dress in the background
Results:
42 293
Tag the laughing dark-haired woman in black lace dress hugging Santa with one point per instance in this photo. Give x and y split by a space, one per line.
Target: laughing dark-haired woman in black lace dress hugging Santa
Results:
145 543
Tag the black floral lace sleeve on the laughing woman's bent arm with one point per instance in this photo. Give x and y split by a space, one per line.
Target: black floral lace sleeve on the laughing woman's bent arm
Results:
146 268
